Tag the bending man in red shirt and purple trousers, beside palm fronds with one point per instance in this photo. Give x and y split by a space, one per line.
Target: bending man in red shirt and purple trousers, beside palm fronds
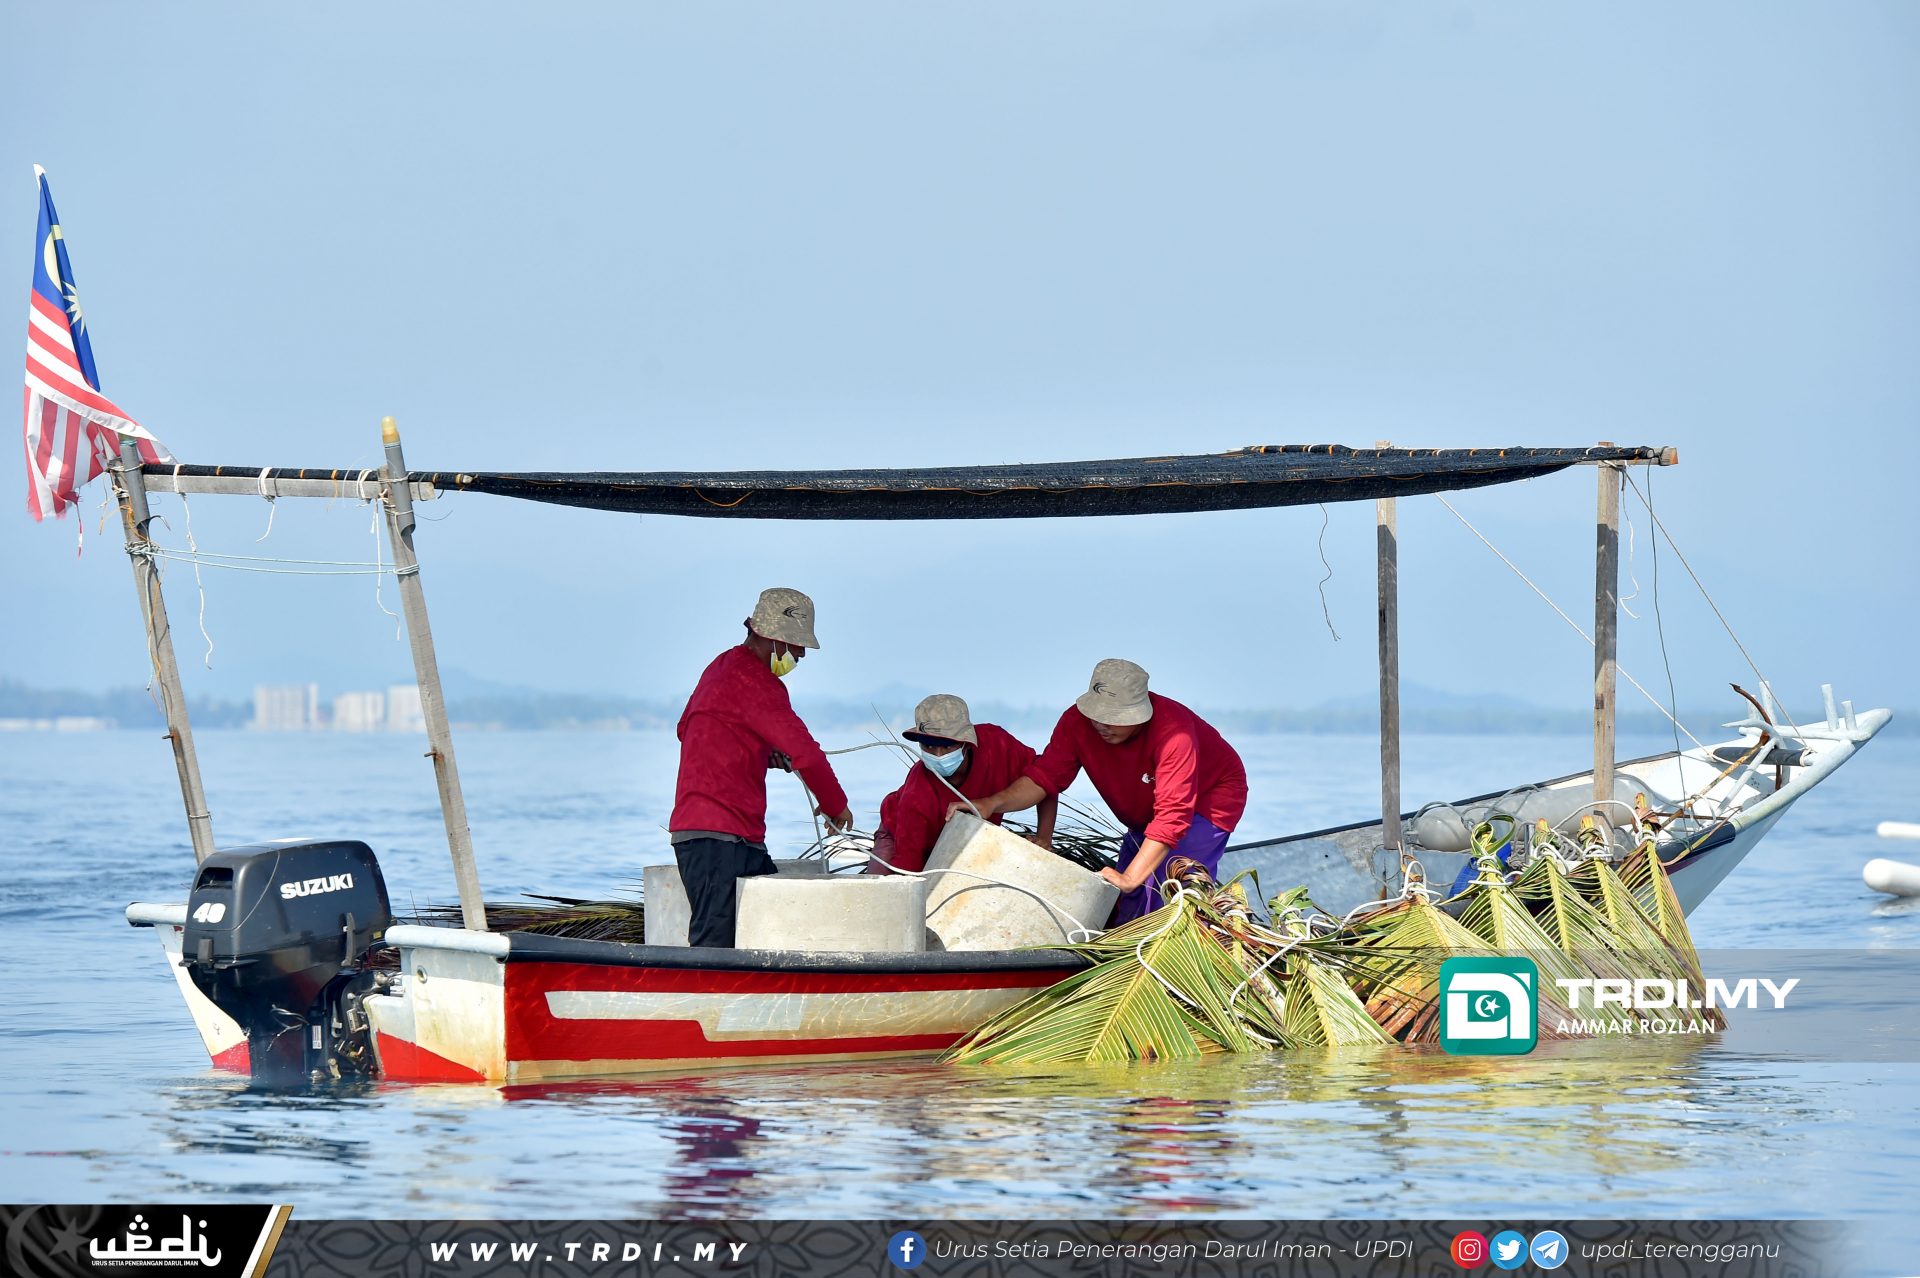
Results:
1168 776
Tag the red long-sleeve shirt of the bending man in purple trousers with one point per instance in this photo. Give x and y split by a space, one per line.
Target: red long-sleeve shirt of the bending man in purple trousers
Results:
1176 767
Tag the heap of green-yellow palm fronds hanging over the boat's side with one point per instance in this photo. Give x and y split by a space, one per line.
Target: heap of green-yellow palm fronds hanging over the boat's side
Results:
1205 976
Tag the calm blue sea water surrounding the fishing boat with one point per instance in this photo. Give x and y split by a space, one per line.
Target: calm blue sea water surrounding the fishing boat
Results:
110 1097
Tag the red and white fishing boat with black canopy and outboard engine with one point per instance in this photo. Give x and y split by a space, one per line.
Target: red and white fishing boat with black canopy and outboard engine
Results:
293 966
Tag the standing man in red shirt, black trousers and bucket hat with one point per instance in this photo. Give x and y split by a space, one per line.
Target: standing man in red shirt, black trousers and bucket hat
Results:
736 726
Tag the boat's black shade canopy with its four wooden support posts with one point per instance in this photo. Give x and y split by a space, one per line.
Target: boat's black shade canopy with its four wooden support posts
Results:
1239 481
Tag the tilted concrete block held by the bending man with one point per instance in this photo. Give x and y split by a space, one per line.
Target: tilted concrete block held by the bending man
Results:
969 909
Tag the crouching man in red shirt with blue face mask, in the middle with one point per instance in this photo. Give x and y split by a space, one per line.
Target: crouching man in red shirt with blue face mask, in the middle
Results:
959 759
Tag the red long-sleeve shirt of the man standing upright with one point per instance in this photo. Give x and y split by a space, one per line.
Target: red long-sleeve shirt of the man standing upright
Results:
736 719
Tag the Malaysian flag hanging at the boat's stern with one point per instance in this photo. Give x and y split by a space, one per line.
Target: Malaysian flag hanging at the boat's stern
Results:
72 429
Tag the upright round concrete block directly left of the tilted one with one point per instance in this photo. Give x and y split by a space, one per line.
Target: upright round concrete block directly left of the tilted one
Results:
840 914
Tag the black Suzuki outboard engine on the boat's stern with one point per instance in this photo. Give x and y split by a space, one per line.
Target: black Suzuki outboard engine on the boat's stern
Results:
277 937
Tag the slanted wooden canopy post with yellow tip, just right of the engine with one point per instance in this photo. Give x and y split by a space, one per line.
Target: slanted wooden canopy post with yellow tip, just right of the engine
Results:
398 496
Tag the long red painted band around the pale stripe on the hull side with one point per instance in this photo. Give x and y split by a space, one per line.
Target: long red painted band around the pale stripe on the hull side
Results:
537 1035
